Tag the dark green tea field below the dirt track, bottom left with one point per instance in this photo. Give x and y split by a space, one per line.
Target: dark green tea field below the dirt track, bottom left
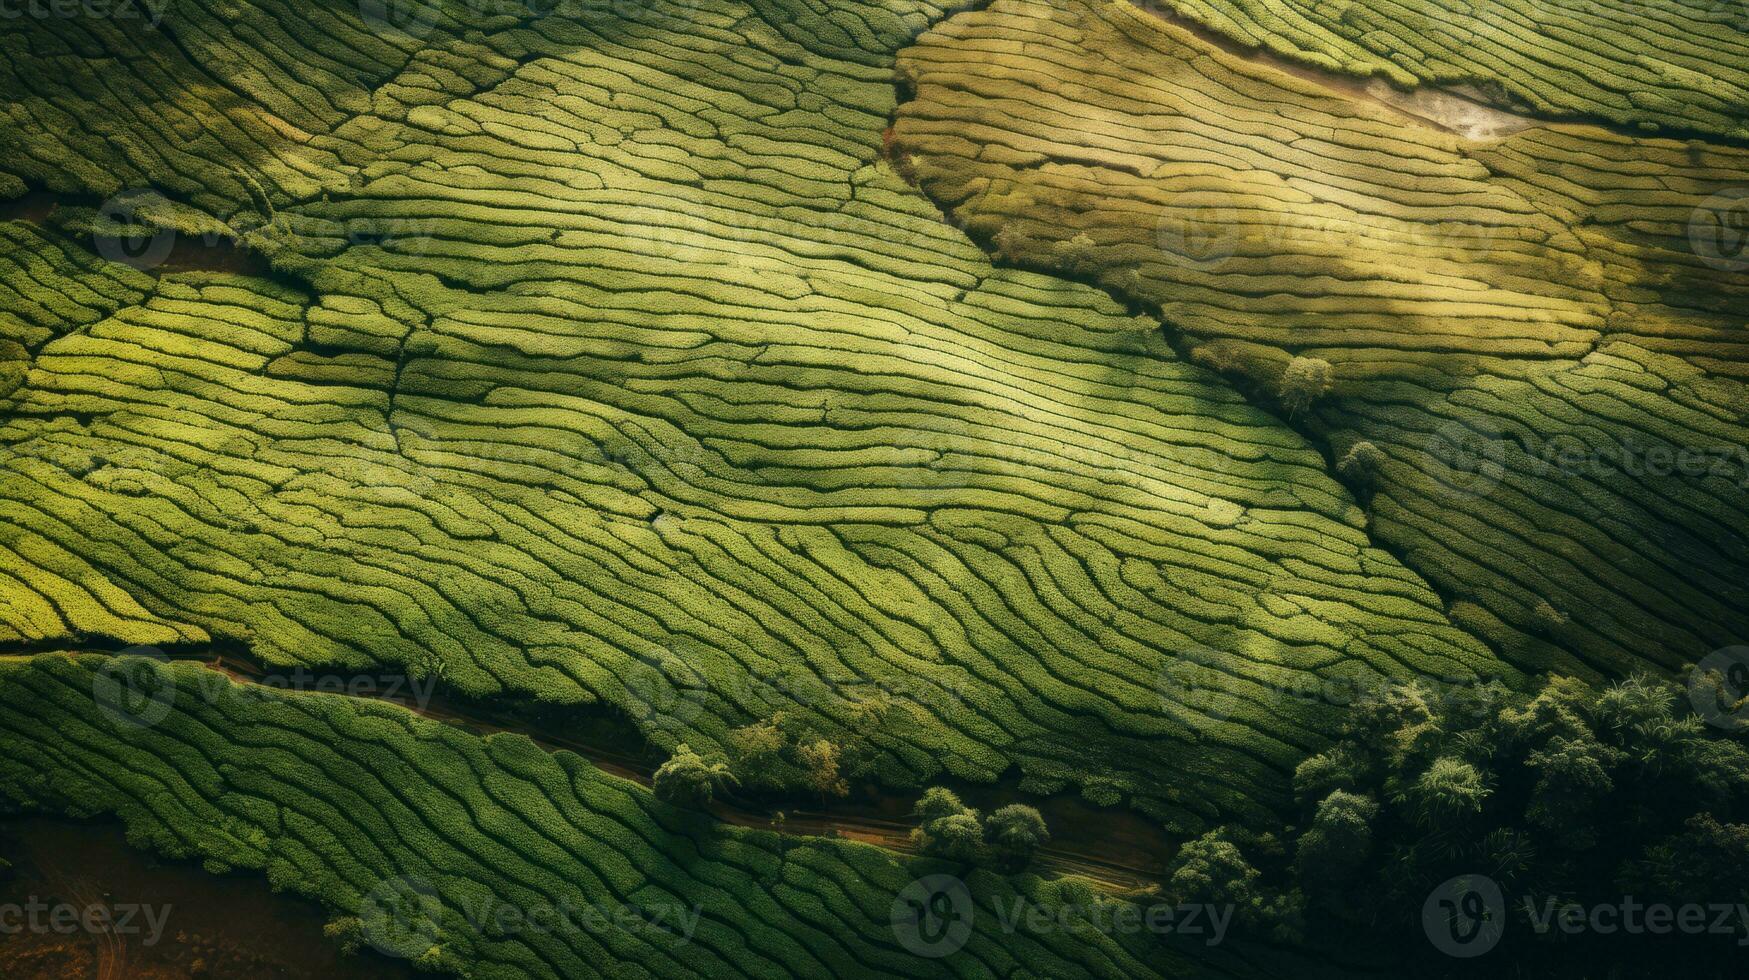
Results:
496 858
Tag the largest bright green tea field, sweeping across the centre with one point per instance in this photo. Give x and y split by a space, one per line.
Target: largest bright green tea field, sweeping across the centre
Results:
613 365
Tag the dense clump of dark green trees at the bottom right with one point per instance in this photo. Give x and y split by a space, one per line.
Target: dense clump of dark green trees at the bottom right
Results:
1575 795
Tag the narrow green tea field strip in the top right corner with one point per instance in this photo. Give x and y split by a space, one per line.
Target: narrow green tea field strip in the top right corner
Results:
1678 66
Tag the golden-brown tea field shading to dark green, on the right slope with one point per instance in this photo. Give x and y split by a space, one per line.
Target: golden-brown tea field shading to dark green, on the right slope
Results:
1526 354
